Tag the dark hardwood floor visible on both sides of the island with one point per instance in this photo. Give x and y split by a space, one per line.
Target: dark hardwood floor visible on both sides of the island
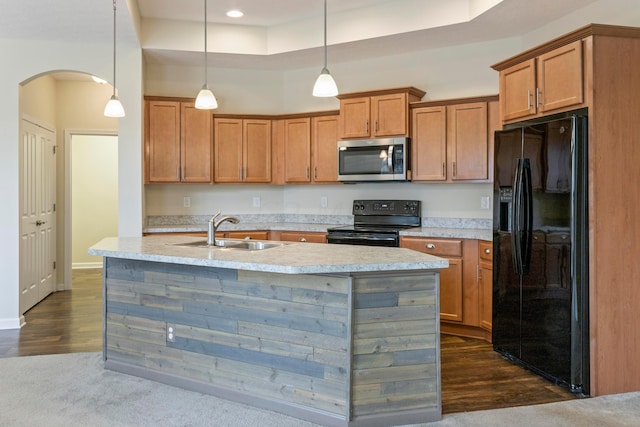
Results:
474 377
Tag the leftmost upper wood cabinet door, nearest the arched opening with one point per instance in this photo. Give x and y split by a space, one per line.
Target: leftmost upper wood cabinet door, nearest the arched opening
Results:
164 141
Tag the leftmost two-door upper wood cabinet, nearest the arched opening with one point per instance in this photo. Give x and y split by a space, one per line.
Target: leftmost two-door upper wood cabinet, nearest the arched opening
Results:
178 144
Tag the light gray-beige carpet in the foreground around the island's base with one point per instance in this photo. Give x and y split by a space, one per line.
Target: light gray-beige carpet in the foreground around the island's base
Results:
75 390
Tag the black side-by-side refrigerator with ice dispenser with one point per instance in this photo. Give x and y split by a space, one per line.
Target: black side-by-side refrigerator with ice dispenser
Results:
540 241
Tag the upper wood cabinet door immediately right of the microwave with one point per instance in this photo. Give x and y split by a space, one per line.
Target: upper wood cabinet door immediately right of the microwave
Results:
429 144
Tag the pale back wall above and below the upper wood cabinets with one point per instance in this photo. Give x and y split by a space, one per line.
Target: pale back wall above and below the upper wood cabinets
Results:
452 72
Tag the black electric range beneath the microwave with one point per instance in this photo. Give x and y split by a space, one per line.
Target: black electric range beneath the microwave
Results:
377 223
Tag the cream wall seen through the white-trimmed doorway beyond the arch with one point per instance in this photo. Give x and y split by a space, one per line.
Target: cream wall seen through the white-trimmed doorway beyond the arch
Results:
94 195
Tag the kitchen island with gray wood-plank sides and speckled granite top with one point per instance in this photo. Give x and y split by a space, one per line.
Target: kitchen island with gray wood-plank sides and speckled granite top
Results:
338 335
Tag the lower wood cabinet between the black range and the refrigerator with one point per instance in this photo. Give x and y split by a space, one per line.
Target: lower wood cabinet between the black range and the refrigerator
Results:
465 303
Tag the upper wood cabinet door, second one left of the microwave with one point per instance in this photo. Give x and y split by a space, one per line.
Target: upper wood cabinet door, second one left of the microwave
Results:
297 150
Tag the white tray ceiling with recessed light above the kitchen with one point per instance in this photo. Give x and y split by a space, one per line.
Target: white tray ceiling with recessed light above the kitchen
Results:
361 28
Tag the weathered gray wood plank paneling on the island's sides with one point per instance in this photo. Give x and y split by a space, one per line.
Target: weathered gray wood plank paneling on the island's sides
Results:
350 346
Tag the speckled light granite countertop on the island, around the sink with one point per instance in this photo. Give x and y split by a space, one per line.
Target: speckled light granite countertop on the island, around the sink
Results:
290 258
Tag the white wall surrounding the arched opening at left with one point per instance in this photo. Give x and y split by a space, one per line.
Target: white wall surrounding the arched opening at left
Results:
22 60
